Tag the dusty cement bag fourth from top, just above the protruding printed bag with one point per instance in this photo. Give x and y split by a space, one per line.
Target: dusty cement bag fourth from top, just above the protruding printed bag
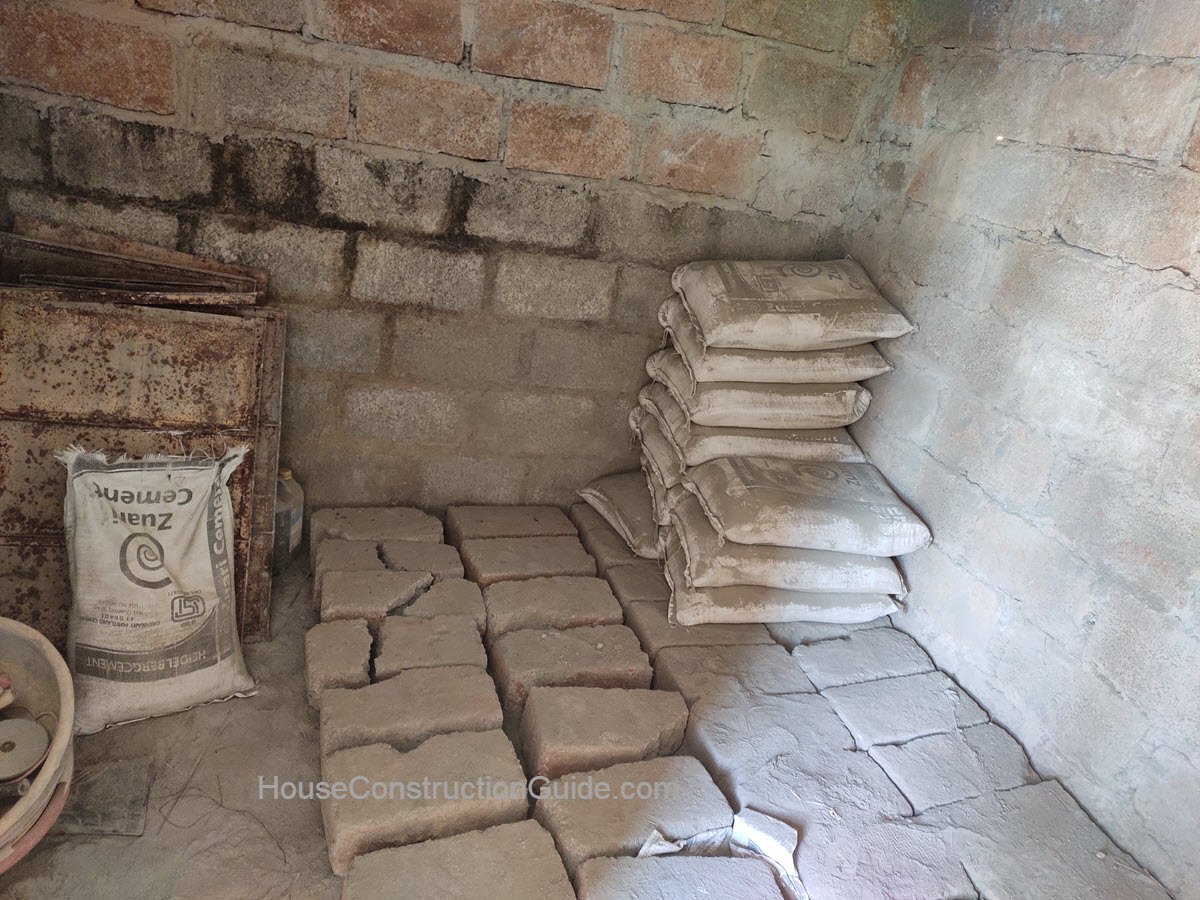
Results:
695 445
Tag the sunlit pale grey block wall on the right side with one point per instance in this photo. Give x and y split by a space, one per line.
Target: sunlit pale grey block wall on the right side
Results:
1031 201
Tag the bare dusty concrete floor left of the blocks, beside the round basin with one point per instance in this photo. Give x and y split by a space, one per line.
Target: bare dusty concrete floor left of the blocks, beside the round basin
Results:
208 835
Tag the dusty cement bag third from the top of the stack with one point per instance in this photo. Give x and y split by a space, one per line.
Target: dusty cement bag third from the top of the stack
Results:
733 405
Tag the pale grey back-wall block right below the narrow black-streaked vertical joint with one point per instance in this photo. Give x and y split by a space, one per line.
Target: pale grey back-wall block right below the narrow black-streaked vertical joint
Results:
389 273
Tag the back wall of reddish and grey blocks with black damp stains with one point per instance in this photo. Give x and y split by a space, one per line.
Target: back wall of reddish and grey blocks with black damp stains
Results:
471 208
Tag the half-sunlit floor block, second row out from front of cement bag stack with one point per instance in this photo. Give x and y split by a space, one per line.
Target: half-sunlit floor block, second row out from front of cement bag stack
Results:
759 669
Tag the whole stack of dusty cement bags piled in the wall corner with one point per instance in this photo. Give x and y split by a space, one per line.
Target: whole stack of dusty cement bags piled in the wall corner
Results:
767 509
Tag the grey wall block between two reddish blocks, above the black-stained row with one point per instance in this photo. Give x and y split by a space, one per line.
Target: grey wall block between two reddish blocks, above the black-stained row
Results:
275 92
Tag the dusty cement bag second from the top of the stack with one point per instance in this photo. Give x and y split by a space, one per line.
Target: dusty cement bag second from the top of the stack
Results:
716 364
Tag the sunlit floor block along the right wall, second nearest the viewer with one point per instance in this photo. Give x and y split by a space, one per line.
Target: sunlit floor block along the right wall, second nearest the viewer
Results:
945 769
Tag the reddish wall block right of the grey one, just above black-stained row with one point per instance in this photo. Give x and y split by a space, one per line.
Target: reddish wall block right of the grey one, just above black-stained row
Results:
431 115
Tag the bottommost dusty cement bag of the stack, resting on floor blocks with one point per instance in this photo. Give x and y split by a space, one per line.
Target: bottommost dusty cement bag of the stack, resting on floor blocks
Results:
749 603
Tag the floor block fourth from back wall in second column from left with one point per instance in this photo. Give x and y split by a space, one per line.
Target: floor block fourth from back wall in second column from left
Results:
590 657
